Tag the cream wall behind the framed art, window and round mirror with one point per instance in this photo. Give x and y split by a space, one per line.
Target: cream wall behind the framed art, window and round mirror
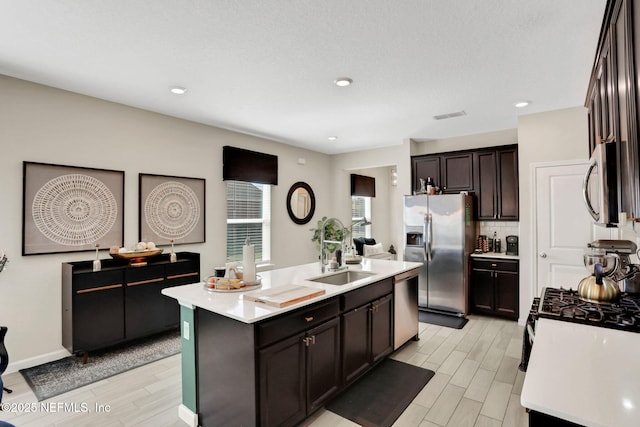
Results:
43 124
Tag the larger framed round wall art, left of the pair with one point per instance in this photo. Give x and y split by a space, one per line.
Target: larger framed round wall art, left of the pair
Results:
70 208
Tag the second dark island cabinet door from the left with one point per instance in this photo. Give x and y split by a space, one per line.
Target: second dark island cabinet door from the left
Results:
323 363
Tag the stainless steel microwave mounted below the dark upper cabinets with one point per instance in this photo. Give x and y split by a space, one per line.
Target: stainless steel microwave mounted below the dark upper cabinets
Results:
600 185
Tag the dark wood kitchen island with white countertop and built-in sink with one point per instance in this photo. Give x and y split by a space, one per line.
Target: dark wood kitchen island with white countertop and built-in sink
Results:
248 363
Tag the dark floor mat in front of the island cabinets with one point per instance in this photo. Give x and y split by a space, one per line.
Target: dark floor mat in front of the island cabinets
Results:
380 396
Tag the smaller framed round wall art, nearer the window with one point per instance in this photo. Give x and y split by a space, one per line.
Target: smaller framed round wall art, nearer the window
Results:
171 208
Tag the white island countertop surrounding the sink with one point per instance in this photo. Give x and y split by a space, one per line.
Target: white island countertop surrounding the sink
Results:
231 304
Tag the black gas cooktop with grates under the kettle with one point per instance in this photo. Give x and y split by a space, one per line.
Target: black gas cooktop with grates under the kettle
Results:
565 304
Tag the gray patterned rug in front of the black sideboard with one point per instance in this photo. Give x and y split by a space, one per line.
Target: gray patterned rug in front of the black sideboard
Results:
57 377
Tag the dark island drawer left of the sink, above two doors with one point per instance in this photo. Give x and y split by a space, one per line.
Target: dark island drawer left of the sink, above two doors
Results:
288 324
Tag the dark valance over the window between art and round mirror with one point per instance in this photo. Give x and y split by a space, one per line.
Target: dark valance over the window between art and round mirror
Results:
249 166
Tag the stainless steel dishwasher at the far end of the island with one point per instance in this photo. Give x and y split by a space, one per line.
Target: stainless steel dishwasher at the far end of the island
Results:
405 308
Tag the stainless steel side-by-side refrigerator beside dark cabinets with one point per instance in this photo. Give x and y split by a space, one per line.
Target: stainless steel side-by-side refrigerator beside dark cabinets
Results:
440 232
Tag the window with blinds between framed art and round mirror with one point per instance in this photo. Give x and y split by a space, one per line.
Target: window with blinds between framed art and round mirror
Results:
248 216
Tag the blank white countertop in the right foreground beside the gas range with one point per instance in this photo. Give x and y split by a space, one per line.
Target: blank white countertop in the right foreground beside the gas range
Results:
585 374
